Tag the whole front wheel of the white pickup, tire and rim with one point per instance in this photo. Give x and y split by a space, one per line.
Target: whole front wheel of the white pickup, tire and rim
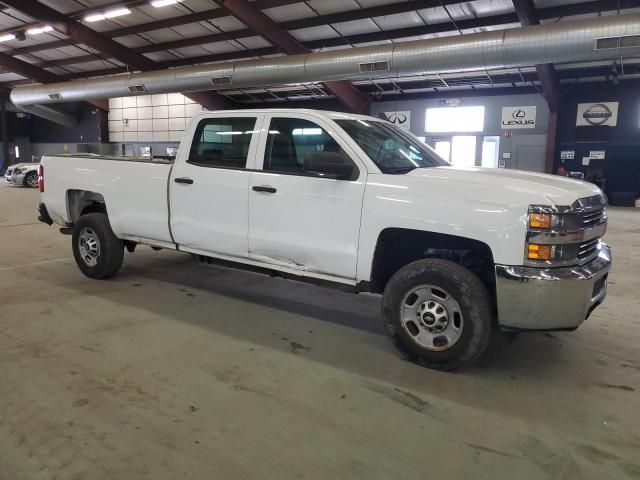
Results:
438 314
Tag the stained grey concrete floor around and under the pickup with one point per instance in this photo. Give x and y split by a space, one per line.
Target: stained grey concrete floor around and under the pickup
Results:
175 369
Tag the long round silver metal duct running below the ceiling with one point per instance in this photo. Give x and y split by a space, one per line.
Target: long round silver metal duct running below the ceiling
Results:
566 41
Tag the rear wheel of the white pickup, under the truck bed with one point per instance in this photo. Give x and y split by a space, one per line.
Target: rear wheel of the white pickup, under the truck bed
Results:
110 249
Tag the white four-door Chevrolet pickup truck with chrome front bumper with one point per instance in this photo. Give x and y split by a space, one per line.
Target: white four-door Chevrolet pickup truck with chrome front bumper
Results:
350 201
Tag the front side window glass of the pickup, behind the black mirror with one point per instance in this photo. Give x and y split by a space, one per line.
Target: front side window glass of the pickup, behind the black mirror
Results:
290 140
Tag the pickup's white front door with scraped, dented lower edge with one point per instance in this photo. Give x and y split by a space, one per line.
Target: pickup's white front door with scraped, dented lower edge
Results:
298 219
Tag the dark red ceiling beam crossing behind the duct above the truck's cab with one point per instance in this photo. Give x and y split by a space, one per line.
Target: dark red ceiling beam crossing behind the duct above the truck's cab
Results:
262 25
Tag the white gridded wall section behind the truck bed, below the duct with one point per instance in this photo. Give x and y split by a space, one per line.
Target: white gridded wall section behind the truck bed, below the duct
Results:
150 118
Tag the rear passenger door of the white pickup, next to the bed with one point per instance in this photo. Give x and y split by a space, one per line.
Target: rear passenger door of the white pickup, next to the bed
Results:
210 183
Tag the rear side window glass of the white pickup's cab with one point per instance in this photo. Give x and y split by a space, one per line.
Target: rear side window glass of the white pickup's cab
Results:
222 142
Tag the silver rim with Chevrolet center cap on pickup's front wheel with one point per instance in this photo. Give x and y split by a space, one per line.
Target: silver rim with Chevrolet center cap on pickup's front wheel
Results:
432 317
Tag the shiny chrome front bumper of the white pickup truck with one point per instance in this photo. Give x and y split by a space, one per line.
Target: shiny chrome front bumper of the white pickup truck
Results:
532 298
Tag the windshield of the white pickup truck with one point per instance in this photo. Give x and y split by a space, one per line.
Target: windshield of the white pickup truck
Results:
391 149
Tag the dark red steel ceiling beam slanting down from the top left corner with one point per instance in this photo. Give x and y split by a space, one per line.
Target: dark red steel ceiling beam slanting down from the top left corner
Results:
79 33
